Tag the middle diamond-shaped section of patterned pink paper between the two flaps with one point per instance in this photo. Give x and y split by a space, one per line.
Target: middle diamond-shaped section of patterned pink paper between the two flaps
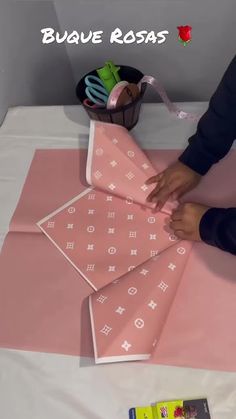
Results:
103 236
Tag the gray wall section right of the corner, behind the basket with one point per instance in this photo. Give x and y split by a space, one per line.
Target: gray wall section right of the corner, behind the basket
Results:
189 73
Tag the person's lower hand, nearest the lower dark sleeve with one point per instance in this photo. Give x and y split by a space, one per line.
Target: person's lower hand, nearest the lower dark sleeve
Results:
185 221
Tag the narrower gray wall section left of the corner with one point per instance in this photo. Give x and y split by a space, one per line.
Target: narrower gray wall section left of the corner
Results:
29 73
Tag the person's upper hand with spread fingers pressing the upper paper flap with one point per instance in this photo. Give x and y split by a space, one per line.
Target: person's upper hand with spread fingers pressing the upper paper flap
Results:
175 181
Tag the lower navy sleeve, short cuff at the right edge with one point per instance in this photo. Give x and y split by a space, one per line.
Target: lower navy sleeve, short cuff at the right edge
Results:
218 228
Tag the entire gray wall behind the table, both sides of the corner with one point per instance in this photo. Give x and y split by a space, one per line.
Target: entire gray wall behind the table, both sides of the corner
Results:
36 74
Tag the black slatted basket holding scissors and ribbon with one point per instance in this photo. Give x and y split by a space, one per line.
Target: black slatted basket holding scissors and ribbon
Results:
127 115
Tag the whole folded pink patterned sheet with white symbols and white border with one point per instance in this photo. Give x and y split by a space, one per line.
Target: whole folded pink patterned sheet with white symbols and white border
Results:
121 247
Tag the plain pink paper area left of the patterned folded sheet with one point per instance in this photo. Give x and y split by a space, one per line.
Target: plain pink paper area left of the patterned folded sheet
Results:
42 297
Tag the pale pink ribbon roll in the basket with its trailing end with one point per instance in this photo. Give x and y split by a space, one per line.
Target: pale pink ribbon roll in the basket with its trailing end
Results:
115 94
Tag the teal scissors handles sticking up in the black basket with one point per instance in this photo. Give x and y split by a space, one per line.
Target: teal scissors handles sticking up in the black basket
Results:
95 90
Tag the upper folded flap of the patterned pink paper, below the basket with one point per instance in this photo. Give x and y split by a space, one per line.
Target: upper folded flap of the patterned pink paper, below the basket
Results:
116 164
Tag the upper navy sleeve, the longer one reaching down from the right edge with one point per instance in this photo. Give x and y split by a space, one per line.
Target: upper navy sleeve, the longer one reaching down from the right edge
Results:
216 130
